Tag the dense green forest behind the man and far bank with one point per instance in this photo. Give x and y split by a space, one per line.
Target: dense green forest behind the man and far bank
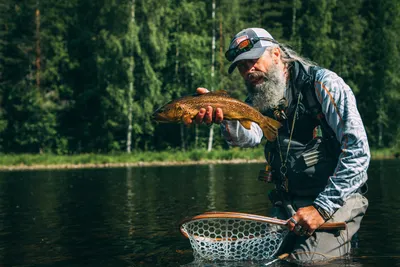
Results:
84 76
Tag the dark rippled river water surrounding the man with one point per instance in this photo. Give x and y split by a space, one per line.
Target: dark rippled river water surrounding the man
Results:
130 216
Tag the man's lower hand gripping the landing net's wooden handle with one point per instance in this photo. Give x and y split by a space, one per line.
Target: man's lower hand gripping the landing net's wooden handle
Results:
308 220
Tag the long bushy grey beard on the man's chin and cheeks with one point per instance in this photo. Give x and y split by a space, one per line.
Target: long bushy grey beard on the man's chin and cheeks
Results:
266 95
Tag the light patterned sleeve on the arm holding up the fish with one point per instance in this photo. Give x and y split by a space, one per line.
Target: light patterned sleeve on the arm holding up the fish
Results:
236 135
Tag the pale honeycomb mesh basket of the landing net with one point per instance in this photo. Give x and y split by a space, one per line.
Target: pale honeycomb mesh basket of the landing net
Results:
227 238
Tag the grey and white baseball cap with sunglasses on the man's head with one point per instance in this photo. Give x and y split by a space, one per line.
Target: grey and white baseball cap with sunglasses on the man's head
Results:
259 39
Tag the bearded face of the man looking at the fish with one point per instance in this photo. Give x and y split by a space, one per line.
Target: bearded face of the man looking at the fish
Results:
265 80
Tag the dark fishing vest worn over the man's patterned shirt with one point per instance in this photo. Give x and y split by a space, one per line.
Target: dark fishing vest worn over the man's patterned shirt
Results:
311 158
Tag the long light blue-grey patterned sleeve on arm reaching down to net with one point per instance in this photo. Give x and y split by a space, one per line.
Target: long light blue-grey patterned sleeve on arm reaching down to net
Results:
340 109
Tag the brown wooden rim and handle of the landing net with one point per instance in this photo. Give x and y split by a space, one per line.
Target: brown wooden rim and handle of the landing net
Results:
247 216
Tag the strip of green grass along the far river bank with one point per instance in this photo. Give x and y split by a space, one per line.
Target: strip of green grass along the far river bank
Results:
137 157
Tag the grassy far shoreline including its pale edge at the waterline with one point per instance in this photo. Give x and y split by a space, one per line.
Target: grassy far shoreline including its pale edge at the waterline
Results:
10 162
